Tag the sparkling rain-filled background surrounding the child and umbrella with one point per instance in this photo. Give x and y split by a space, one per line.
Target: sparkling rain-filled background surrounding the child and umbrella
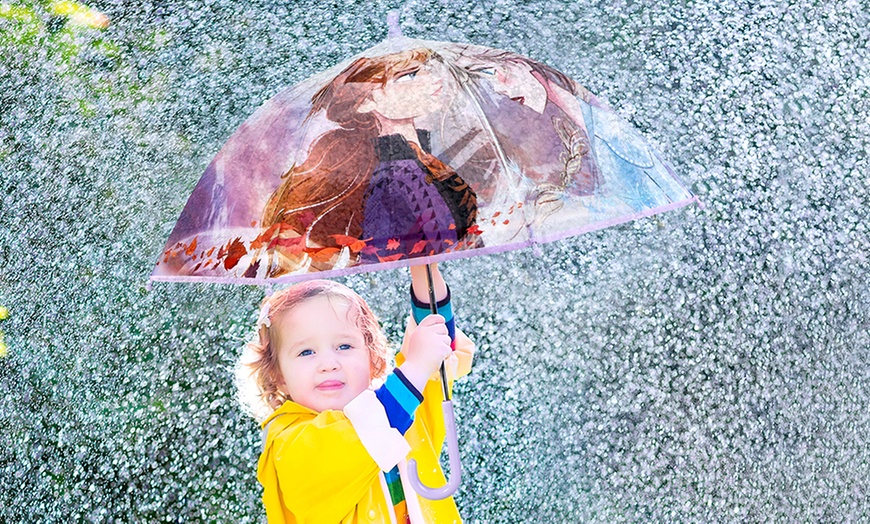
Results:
707 365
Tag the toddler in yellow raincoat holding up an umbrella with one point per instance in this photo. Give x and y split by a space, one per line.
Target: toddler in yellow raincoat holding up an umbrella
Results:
338 428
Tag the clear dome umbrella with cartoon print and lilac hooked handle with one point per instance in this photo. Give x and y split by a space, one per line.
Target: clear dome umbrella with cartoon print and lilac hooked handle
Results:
413 152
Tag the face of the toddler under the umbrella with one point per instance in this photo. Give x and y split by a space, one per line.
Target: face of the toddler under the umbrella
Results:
322 355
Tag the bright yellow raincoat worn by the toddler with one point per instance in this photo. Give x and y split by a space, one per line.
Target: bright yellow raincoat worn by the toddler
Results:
315 469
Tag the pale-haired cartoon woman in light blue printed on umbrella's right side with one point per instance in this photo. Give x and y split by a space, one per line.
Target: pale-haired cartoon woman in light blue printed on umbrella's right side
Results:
598 148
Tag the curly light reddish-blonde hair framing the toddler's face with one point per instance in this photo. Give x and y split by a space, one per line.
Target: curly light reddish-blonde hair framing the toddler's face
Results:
257 372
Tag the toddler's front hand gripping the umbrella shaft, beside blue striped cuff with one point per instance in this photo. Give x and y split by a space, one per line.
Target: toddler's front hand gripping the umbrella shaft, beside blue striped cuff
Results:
427 347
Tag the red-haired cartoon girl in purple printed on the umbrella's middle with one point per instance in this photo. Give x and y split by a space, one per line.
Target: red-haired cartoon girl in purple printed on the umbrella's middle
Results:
370 189
